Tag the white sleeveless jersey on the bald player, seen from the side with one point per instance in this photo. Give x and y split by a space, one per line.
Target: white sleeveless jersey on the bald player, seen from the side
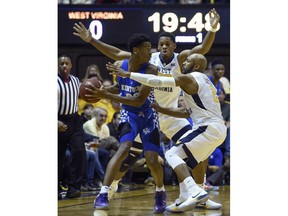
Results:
204 105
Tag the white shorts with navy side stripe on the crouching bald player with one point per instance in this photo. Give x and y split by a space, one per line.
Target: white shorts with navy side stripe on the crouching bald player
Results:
199 143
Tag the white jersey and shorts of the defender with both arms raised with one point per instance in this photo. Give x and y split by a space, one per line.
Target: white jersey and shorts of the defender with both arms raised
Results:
168 97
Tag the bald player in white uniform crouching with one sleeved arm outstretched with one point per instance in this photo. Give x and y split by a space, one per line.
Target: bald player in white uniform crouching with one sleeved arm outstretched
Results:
209 130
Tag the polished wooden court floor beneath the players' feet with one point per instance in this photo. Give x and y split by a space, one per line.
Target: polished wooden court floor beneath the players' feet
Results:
135 200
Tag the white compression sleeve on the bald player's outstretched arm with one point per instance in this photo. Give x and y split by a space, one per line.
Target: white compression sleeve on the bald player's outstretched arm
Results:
152 80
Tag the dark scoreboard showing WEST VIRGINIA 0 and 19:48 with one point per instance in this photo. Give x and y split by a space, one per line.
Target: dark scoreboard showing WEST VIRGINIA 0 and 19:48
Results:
115 25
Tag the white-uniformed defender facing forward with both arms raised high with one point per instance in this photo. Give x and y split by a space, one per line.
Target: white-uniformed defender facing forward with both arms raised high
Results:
168 63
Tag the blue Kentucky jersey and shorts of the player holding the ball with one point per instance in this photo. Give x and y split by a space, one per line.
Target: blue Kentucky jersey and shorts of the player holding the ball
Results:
143 119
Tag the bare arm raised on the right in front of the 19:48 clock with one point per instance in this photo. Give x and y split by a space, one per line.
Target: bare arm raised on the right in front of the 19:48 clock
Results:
208 39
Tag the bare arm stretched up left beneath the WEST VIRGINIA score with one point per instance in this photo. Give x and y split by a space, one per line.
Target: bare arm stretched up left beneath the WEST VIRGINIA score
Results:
108 50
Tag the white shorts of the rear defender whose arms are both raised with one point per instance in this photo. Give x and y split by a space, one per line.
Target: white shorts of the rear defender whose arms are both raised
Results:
173 127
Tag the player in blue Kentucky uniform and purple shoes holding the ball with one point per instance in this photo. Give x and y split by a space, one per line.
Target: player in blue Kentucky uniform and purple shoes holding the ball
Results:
137 117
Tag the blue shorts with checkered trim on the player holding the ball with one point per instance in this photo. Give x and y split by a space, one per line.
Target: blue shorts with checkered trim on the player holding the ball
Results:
145 123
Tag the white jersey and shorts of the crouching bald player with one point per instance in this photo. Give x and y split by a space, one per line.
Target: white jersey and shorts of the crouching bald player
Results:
209 130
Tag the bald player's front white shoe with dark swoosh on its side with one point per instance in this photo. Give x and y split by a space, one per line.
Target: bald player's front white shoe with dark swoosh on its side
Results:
200 197
